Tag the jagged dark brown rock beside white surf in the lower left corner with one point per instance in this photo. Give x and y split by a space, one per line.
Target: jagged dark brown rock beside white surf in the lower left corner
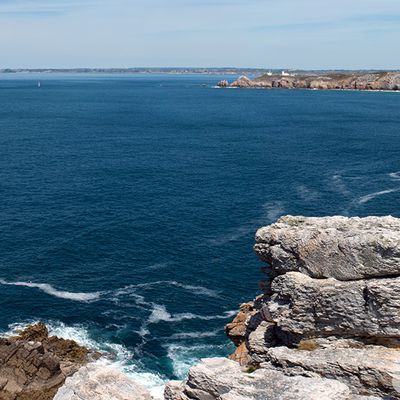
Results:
33 365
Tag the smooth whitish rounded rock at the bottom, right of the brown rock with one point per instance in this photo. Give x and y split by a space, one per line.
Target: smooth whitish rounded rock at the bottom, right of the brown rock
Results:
100 382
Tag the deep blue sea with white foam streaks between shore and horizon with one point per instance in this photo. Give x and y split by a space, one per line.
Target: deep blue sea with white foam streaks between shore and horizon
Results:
129 203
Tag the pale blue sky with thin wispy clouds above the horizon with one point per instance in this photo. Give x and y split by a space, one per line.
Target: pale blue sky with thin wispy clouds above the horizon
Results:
309 34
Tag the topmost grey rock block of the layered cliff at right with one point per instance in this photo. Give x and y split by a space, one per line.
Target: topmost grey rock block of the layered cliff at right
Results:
332 247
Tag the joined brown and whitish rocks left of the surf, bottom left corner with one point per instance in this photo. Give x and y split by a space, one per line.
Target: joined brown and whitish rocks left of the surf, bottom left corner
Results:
36 366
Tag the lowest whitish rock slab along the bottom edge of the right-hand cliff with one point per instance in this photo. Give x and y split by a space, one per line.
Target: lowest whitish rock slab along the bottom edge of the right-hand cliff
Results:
223 379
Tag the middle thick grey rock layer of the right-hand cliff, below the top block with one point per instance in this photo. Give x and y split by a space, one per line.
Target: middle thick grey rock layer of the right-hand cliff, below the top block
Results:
303 307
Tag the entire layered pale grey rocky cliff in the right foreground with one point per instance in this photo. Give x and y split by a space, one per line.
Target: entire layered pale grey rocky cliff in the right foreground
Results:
327 325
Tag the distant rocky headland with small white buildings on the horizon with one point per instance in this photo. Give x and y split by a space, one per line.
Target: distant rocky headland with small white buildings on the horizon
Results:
322 81
